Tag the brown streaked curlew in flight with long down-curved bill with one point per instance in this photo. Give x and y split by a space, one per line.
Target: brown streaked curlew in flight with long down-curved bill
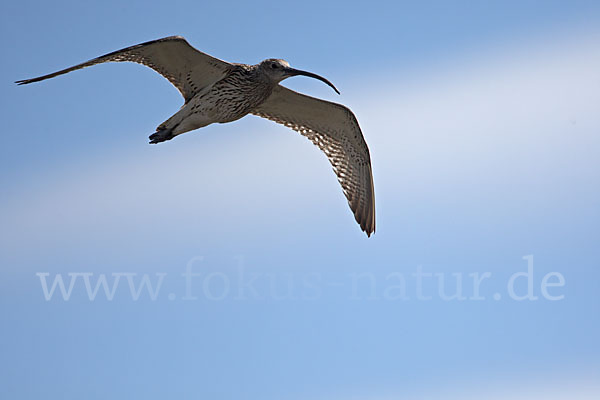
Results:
216 91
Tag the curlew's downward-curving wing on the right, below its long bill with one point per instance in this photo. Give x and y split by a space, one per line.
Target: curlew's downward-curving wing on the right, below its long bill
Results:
334 129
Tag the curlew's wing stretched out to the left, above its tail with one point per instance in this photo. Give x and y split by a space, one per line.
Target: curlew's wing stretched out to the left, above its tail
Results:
188 69
